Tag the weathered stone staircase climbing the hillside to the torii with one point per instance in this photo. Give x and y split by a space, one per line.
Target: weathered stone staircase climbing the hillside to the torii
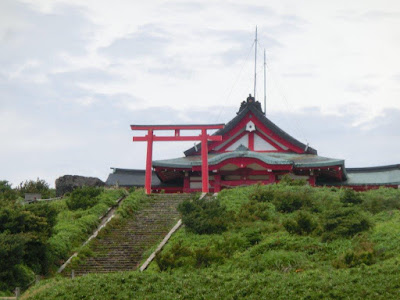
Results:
121 247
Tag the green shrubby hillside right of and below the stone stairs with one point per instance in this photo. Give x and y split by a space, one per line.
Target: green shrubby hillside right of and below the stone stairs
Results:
284 241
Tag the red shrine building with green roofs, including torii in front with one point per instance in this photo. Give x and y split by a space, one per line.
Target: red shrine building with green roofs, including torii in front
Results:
247 150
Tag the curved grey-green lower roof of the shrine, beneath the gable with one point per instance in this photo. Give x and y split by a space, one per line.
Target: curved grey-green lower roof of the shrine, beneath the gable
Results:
297 160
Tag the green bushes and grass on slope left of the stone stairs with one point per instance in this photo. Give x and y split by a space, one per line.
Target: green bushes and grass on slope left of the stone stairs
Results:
35 239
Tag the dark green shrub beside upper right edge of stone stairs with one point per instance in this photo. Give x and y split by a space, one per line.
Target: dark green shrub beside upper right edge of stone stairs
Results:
204 216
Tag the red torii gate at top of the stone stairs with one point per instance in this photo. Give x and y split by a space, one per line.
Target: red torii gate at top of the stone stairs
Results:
203 137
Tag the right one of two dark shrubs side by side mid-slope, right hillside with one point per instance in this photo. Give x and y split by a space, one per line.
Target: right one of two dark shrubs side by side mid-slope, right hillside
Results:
344 222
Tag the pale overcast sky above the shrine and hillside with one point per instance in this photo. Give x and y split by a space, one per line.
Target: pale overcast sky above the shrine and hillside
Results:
75 74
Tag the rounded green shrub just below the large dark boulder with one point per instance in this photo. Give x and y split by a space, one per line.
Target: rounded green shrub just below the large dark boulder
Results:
83 198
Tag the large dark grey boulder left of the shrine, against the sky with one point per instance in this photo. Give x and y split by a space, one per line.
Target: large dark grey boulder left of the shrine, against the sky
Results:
68 183
